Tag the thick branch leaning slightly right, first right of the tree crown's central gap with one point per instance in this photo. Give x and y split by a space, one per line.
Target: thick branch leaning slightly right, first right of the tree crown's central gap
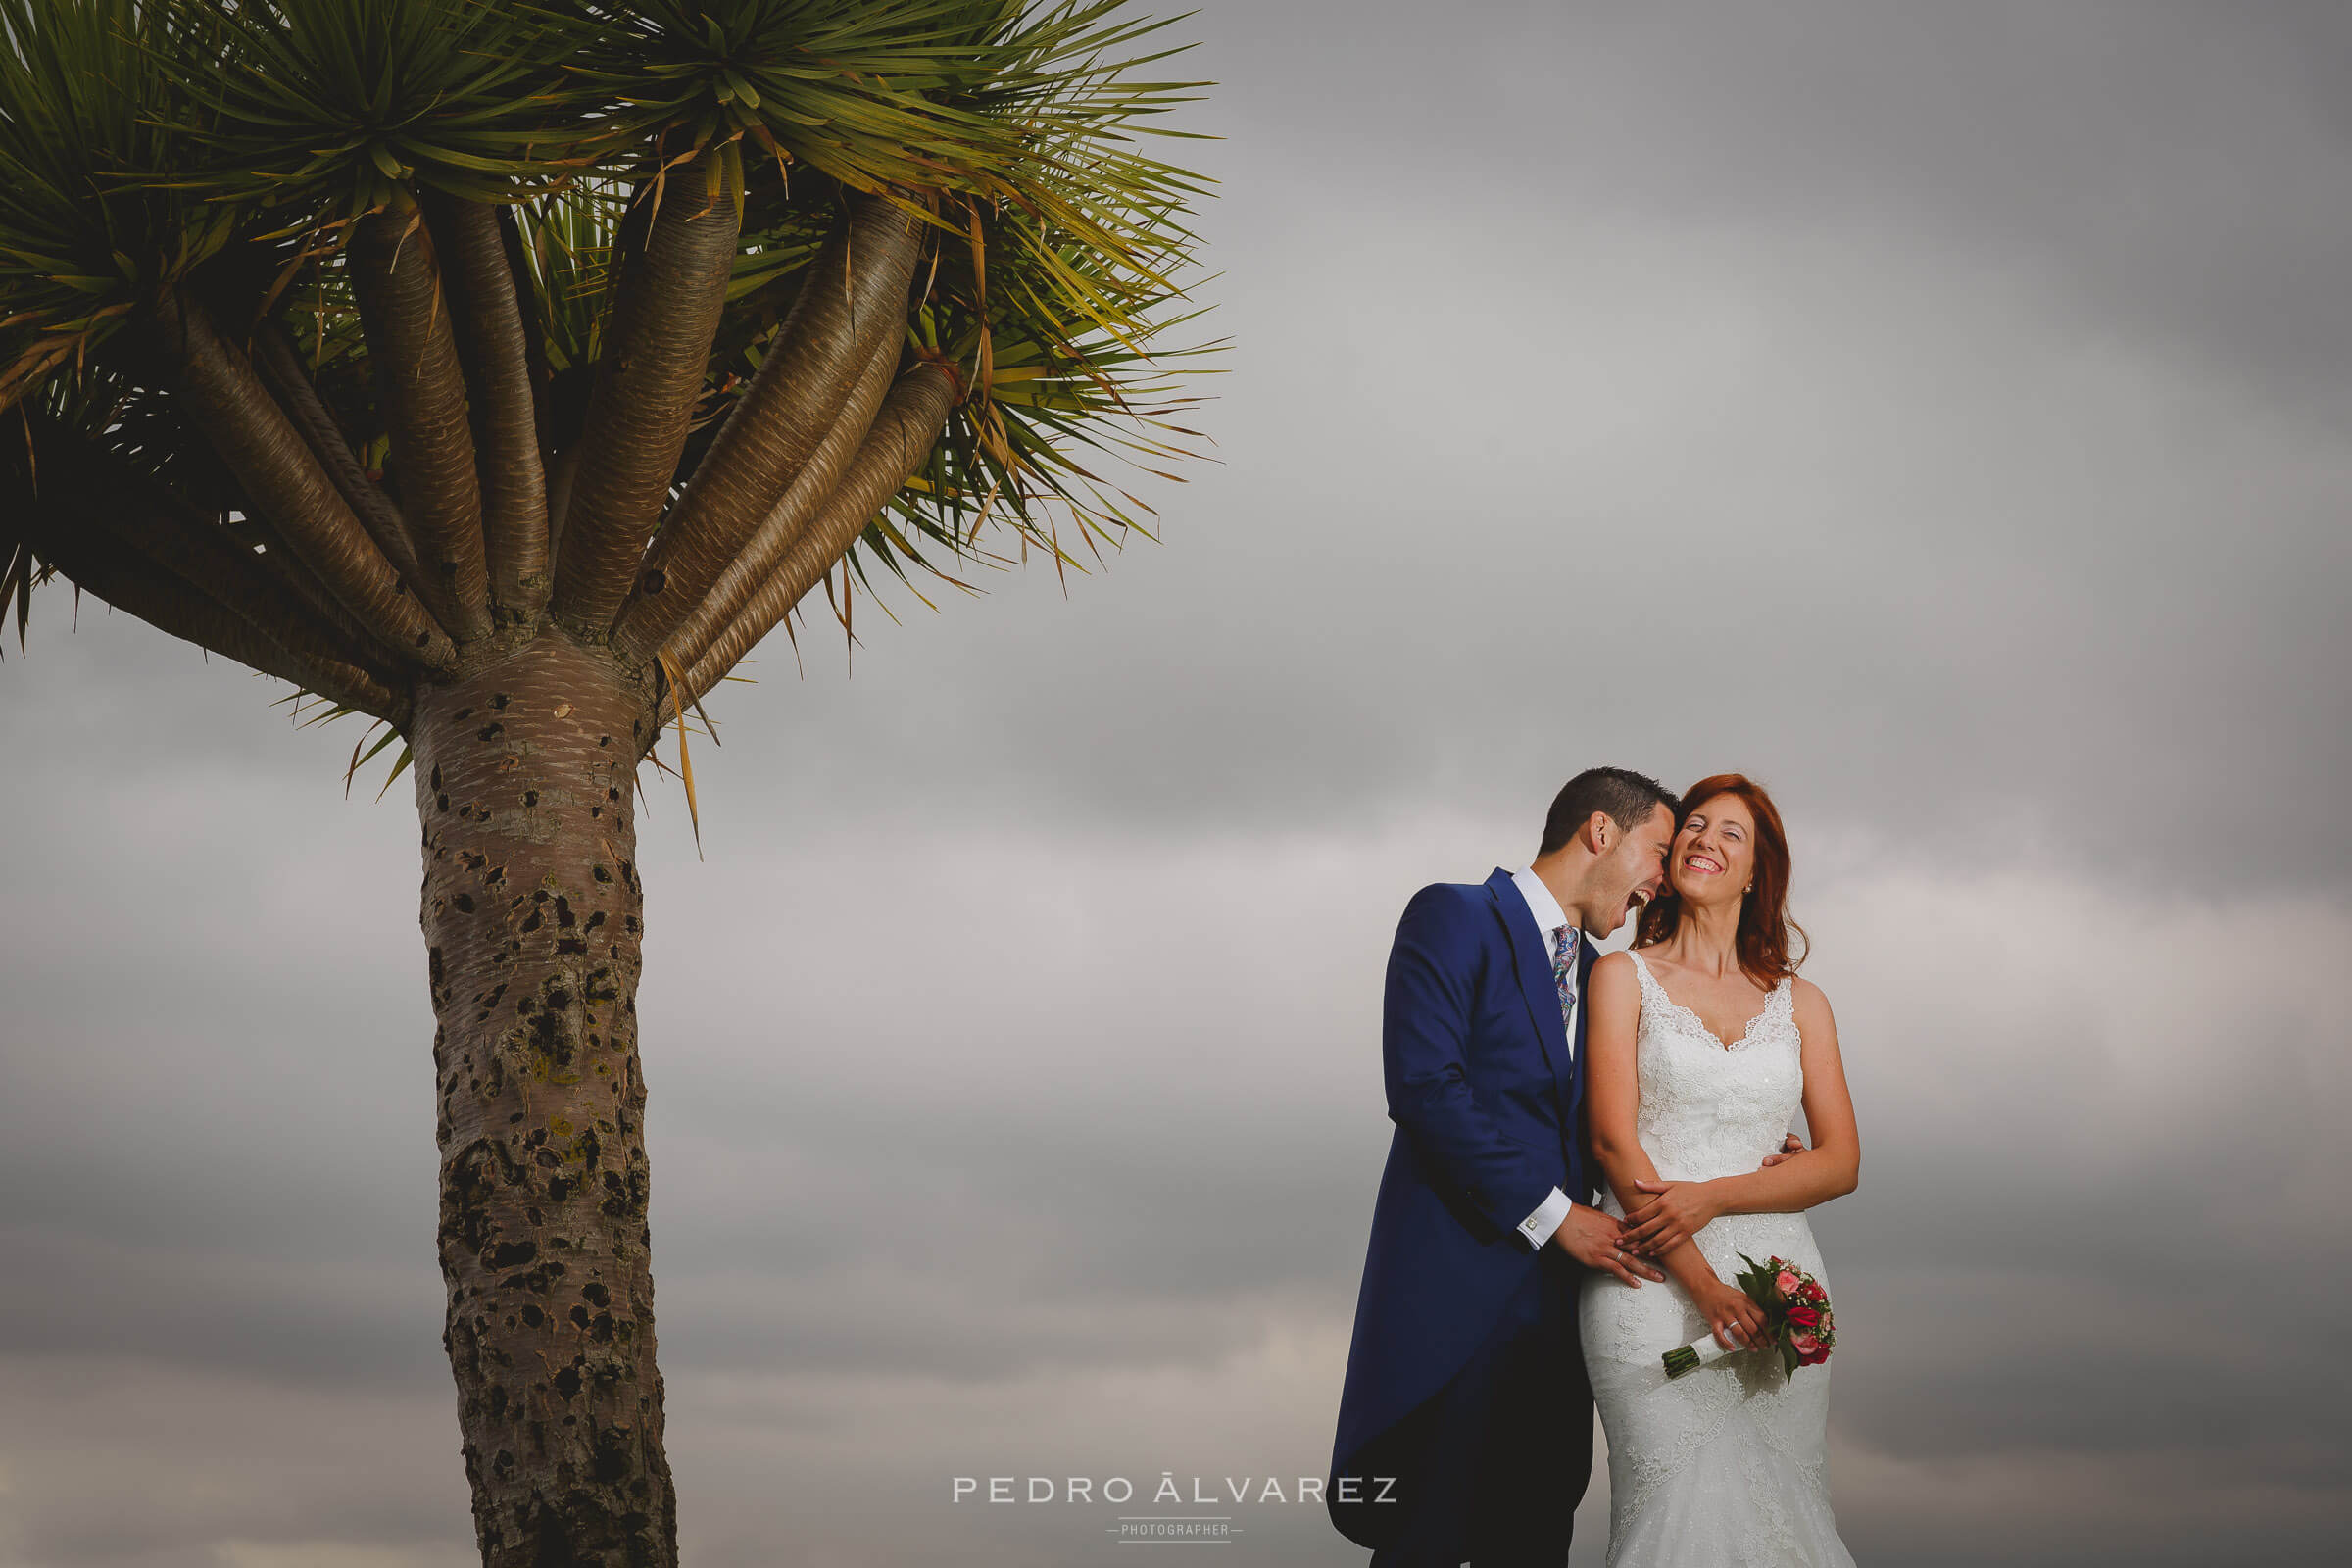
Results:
657 354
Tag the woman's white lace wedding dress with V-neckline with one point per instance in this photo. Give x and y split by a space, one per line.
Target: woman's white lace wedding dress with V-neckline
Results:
1720 1468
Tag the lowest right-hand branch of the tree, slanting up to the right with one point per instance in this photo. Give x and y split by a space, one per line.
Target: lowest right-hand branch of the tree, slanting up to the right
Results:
902 438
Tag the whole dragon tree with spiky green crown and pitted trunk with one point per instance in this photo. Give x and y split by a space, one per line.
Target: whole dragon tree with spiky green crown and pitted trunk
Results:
502 373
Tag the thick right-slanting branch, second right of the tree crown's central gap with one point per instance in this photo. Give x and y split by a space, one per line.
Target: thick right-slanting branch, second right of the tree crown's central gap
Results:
853 300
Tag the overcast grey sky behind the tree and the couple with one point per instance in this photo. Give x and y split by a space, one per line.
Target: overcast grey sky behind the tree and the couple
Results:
1935 410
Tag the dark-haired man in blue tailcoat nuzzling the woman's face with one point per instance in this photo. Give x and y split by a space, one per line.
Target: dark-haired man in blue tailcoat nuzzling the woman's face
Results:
1466 1421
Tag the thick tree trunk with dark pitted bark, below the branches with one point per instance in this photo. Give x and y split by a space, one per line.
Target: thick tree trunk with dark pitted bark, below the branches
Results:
526 770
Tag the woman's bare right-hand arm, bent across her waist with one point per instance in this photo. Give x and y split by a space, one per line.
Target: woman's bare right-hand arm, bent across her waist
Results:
1805 1179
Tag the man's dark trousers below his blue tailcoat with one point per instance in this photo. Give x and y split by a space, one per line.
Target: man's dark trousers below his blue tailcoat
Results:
1492 1466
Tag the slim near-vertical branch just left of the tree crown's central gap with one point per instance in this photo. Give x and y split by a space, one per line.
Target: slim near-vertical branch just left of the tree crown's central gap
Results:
497 359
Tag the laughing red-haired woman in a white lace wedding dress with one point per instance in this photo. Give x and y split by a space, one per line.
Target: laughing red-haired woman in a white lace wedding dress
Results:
1702 1047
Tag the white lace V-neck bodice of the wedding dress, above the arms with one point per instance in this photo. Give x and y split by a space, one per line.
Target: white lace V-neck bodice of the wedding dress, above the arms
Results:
1709 1108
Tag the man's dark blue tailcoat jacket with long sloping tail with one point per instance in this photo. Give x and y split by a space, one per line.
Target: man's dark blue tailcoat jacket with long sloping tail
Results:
1488 1106
